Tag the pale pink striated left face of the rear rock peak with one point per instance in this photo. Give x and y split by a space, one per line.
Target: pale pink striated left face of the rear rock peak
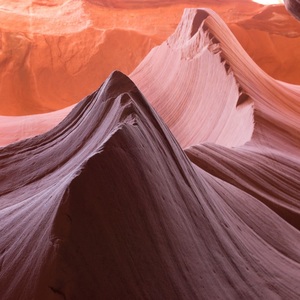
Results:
192 87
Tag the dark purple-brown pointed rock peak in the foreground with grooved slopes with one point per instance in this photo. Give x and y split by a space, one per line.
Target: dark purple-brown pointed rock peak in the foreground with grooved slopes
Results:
107 205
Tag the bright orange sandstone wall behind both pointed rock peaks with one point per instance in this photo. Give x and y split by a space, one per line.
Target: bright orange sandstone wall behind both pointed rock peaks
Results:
53 53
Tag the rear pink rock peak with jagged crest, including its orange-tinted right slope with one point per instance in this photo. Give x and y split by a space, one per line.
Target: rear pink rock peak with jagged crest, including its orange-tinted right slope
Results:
211 86
